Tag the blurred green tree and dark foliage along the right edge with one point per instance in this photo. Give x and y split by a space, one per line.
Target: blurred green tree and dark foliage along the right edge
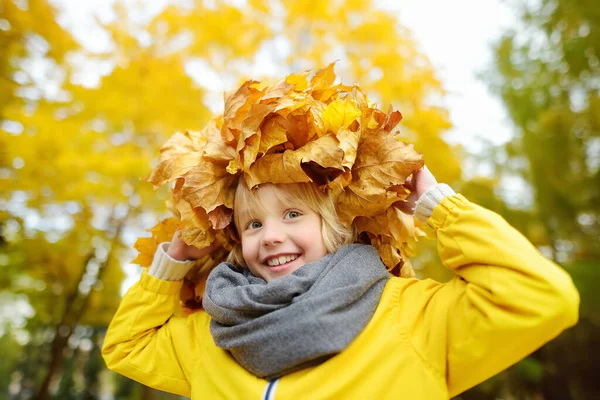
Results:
547 72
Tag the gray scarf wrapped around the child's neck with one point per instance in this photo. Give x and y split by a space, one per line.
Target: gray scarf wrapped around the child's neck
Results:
299 320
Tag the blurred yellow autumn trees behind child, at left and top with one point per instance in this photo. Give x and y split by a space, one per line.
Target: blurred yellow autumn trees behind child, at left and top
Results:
74 151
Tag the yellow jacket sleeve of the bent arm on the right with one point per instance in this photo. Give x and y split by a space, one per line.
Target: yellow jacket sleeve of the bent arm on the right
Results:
506 300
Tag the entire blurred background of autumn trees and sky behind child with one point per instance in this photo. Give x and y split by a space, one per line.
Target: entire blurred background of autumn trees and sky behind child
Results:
502 98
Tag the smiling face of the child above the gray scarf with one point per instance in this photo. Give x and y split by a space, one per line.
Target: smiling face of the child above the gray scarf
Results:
280 238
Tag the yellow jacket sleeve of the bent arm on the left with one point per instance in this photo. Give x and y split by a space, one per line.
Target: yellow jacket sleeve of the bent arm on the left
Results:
147 343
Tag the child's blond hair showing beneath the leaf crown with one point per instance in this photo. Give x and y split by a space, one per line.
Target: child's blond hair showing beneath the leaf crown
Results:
335 235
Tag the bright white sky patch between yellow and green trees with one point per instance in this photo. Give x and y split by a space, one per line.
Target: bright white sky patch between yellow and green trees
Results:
457 37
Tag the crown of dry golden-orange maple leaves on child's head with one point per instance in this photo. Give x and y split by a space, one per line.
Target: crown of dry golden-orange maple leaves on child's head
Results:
298 130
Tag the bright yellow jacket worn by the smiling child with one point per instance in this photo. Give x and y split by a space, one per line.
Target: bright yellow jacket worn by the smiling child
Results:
426 340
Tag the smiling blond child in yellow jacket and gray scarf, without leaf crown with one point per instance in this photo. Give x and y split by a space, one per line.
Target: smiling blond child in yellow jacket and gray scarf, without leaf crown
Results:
311 315
